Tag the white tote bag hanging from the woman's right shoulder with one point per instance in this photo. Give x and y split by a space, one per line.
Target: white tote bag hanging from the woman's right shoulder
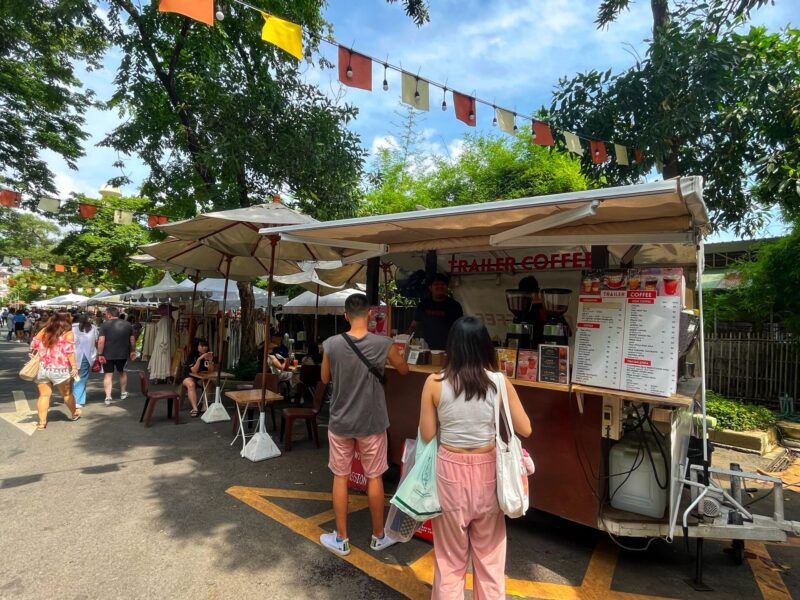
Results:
512 478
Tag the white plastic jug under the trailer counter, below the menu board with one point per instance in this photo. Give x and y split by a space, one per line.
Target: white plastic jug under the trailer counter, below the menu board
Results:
640 492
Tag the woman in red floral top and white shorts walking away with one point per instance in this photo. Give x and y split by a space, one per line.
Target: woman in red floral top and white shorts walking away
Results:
56 347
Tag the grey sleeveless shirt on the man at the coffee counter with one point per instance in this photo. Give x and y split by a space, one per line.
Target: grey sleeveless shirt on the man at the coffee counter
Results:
358 404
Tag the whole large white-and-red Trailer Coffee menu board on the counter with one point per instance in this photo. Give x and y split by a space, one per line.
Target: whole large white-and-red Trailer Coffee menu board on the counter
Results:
627 330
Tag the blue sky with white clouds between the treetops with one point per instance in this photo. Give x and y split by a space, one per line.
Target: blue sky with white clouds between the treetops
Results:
511 52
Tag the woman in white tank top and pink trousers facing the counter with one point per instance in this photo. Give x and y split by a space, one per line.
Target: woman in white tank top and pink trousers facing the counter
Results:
458 405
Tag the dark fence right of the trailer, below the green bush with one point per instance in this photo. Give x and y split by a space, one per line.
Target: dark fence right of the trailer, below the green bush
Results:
757 367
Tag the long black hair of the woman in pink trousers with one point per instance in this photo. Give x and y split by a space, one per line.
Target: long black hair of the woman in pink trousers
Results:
470 354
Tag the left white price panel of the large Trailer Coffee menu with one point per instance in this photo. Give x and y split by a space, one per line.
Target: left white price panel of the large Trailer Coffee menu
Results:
599 336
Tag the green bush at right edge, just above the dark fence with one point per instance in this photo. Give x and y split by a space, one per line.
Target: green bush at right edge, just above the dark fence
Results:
767 289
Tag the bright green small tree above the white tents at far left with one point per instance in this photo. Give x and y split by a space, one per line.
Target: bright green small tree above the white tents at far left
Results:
104 246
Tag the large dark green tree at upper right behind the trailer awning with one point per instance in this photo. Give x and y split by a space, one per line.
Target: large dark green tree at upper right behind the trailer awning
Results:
705 100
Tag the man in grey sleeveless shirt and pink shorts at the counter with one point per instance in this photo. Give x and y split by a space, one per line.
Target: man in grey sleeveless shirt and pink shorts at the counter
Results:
358 418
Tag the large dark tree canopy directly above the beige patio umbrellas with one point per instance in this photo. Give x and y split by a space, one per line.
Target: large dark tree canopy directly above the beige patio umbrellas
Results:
223 119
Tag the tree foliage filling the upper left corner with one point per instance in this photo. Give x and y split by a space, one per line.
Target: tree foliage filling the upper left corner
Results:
42 103
